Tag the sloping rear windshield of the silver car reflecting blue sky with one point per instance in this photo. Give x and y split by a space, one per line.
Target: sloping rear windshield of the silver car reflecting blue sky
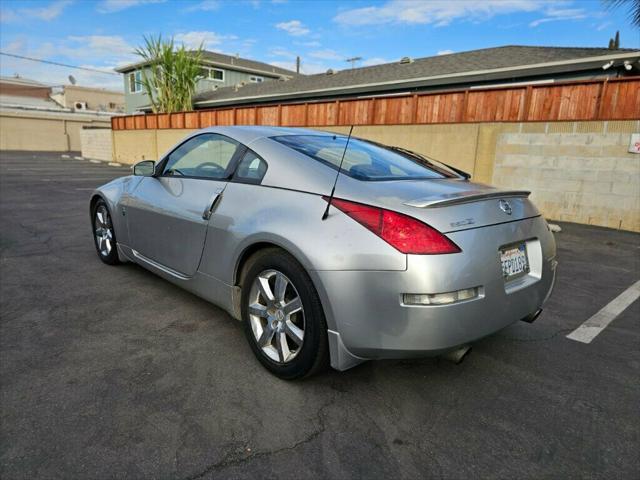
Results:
364 160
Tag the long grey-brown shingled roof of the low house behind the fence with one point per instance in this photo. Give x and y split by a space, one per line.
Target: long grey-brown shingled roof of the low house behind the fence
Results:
443 65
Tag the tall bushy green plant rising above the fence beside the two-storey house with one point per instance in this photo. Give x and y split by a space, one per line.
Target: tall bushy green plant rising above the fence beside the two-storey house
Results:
171 74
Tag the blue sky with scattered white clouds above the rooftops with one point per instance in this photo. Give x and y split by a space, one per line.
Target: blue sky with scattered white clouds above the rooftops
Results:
102 34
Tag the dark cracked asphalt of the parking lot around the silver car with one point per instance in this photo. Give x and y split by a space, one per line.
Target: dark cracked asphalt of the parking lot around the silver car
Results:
111 372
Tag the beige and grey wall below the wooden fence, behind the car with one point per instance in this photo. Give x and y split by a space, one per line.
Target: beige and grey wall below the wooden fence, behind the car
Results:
578 171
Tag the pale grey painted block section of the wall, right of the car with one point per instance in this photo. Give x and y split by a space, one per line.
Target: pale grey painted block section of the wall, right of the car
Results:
584 174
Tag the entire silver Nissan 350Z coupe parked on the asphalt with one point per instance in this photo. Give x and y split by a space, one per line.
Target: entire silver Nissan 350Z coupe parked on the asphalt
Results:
408 259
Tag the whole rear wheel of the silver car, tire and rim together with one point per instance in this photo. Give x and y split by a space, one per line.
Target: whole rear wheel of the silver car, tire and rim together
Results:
283 317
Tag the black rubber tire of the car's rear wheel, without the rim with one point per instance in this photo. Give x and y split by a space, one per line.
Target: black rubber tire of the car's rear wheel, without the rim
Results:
313 355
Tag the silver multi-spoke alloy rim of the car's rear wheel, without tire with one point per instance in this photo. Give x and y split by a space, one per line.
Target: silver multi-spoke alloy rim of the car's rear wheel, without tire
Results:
277 316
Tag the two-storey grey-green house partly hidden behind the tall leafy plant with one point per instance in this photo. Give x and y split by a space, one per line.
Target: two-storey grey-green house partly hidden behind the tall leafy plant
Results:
218 70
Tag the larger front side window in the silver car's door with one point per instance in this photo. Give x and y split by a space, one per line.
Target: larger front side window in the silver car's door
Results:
207 156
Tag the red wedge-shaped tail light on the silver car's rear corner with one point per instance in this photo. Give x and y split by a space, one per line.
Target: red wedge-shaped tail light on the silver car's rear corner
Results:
402 232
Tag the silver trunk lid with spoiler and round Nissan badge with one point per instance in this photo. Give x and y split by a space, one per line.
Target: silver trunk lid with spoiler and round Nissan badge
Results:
448 205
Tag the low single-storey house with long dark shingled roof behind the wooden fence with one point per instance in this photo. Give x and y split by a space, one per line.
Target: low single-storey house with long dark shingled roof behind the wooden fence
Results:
490 67
